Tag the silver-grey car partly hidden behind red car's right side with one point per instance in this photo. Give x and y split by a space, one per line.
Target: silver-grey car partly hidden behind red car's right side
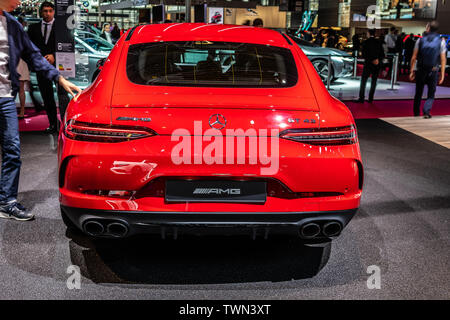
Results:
341 61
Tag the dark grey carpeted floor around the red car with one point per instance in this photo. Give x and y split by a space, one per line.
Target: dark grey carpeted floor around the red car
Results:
403 227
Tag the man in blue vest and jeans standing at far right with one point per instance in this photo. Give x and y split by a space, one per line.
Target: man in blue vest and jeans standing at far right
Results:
429 52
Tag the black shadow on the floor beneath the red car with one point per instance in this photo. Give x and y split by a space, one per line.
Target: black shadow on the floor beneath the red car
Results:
195 260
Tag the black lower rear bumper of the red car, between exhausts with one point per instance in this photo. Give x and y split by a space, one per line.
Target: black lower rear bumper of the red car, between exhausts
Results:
139 222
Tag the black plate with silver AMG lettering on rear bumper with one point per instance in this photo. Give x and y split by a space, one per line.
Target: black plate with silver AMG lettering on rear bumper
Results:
216 191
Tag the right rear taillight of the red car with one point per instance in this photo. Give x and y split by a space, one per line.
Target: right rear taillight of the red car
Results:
323 136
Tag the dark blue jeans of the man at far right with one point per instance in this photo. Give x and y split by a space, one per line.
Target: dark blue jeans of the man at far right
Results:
423 78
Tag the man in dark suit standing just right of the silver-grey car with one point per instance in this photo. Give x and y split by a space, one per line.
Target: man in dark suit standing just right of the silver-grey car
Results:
373 54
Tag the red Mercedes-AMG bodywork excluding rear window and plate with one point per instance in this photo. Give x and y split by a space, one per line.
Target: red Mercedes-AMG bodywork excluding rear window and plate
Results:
118 188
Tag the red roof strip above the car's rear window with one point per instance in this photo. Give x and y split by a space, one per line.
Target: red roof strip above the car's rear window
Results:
204 31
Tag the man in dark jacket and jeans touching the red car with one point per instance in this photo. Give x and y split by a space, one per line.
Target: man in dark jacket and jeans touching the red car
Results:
15 44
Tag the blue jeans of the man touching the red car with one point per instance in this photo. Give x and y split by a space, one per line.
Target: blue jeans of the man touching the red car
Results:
10 143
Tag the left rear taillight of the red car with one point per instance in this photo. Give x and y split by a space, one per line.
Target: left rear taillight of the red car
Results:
95 132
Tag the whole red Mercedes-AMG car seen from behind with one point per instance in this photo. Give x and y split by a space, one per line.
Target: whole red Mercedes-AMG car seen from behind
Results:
208 127
